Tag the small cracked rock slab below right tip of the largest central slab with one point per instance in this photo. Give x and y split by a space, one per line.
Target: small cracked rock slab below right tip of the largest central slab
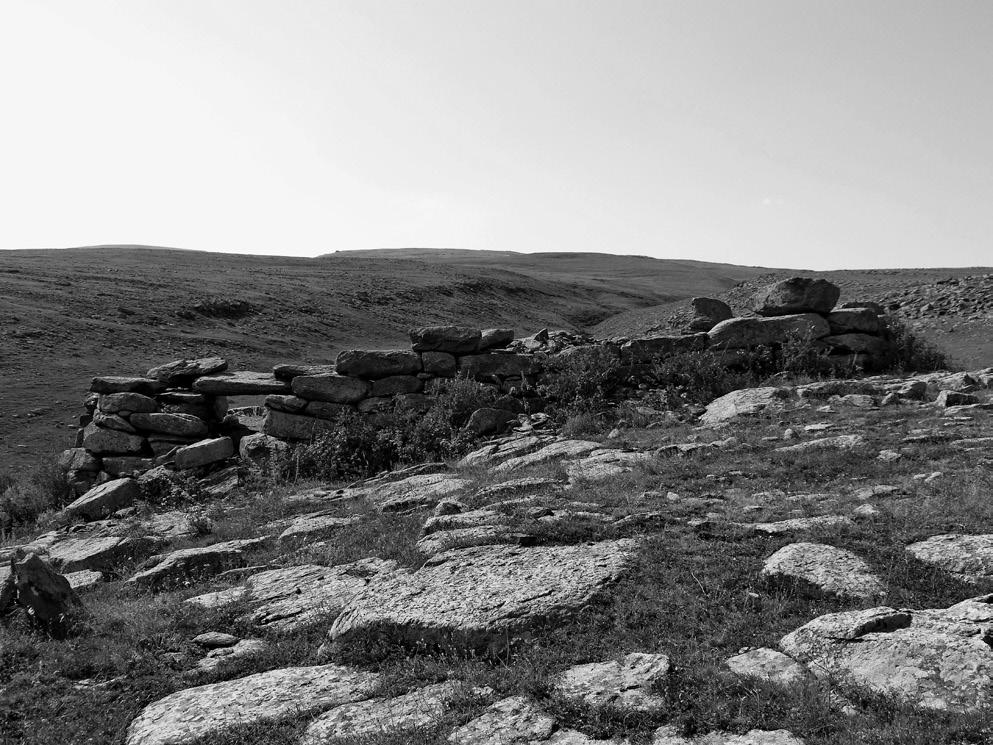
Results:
627 683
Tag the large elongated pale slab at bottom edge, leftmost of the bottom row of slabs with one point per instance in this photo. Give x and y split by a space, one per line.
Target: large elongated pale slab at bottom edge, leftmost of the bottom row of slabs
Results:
211 710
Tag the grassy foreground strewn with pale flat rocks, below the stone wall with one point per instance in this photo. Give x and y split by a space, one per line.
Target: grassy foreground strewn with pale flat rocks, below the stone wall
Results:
821 524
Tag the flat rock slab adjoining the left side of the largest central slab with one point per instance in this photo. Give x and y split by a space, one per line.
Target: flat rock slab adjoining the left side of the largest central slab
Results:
301 596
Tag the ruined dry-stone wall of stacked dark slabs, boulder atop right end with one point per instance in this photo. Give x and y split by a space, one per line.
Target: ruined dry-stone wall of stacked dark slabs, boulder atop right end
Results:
177 413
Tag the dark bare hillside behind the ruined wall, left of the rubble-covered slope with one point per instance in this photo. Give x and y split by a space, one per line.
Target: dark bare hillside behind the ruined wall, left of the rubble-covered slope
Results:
66 315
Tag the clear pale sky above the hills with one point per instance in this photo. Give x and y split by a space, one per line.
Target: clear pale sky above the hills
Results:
802 133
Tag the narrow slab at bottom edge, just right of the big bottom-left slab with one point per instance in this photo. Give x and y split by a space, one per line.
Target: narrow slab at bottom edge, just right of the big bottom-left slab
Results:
379 716
